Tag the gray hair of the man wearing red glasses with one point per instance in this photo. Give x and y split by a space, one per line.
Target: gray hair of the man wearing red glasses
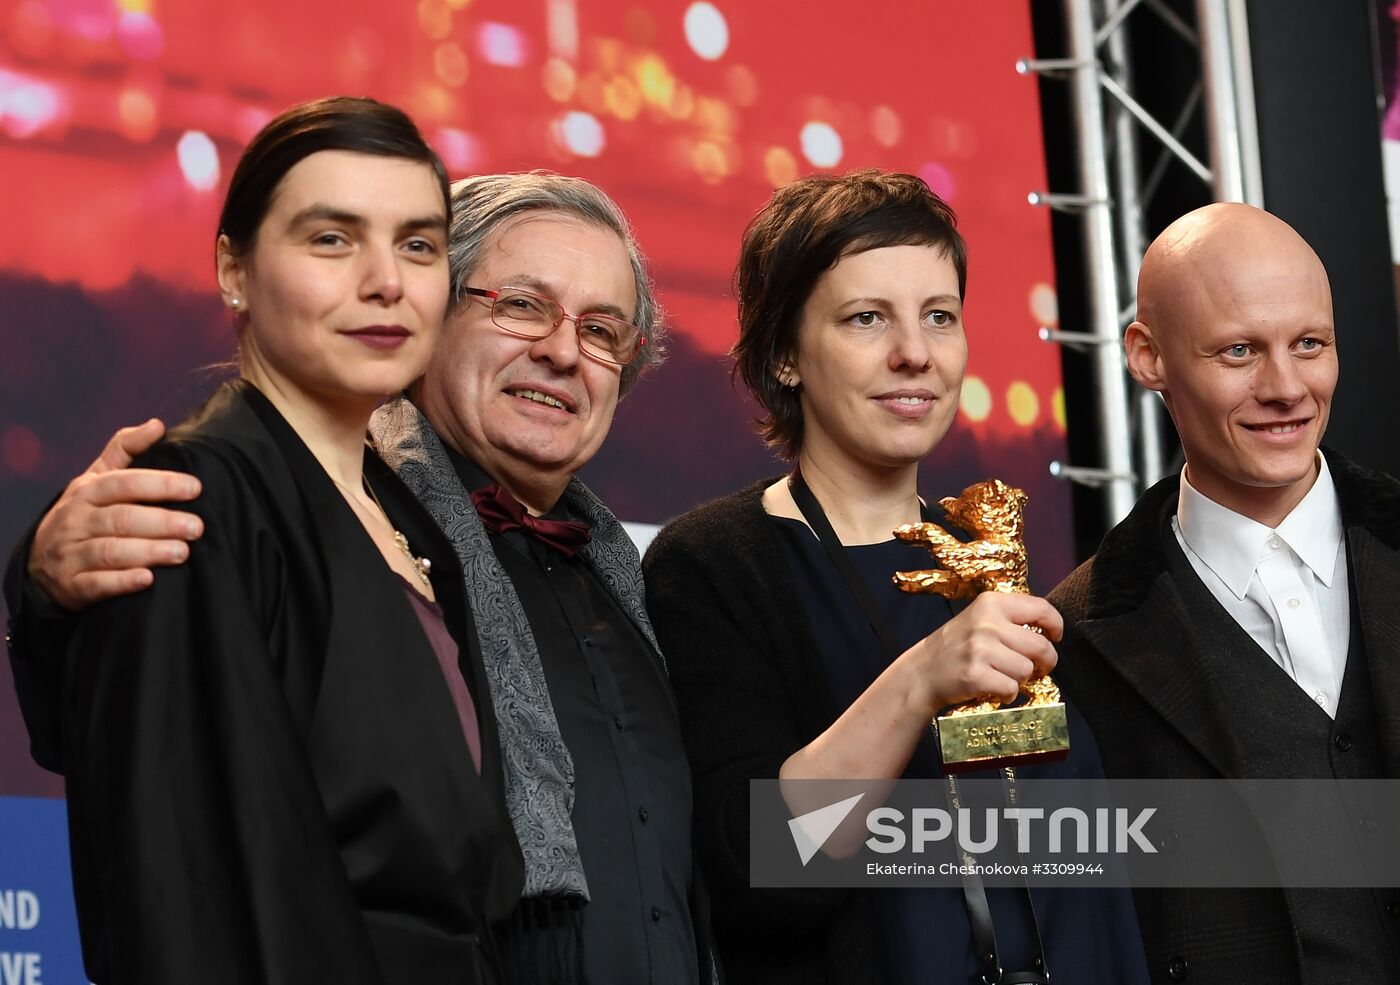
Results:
482 204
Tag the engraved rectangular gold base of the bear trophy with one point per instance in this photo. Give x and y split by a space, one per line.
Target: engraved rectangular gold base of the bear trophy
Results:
1003 738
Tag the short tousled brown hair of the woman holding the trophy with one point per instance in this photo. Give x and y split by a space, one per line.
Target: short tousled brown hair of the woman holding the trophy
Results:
803 233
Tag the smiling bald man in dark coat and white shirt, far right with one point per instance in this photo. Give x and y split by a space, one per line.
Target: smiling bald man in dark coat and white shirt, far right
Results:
1244 622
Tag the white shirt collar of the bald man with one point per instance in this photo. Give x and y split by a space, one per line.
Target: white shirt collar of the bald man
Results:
1231 545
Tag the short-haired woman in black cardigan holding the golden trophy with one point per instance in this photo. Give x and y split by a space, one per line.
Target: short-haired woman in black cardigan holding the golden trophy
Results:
852 339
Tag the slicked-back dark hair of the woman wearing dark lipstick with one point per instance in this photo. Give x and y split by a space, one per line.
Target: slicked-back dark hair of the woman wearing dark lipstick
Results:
339 124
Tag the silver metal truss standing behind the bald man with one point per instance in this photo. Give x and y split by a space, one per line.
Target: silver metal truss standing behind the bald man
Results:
1116 184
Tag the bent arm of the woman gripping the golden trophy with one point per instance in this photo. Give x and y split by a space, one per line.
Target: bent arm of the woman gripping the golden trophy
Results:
724 633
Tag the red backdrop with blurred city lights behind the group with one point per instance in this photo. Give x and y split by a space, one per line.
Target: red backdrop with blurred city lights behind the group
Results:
121 121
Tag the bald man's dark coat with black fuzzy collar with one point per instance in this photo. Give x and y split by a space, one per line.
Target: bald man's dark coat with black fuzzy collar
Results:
1136 667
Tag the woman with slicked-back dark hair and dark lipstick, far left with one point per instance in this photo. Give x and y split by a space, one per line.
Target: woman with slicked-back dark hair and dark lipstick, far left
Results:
282 756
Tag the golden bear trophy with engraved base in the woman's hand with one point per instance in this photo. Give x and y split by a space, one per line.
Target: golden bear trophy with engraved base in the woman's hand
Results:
986 734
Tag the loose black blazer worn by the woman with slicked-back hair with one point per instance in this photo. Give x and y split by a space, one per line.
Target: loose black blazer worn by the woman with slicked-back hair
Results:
268 780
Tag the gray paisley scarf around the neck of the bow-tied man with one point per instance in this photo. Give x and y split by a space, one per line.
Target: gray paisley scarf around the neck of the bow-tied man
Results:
540 772
